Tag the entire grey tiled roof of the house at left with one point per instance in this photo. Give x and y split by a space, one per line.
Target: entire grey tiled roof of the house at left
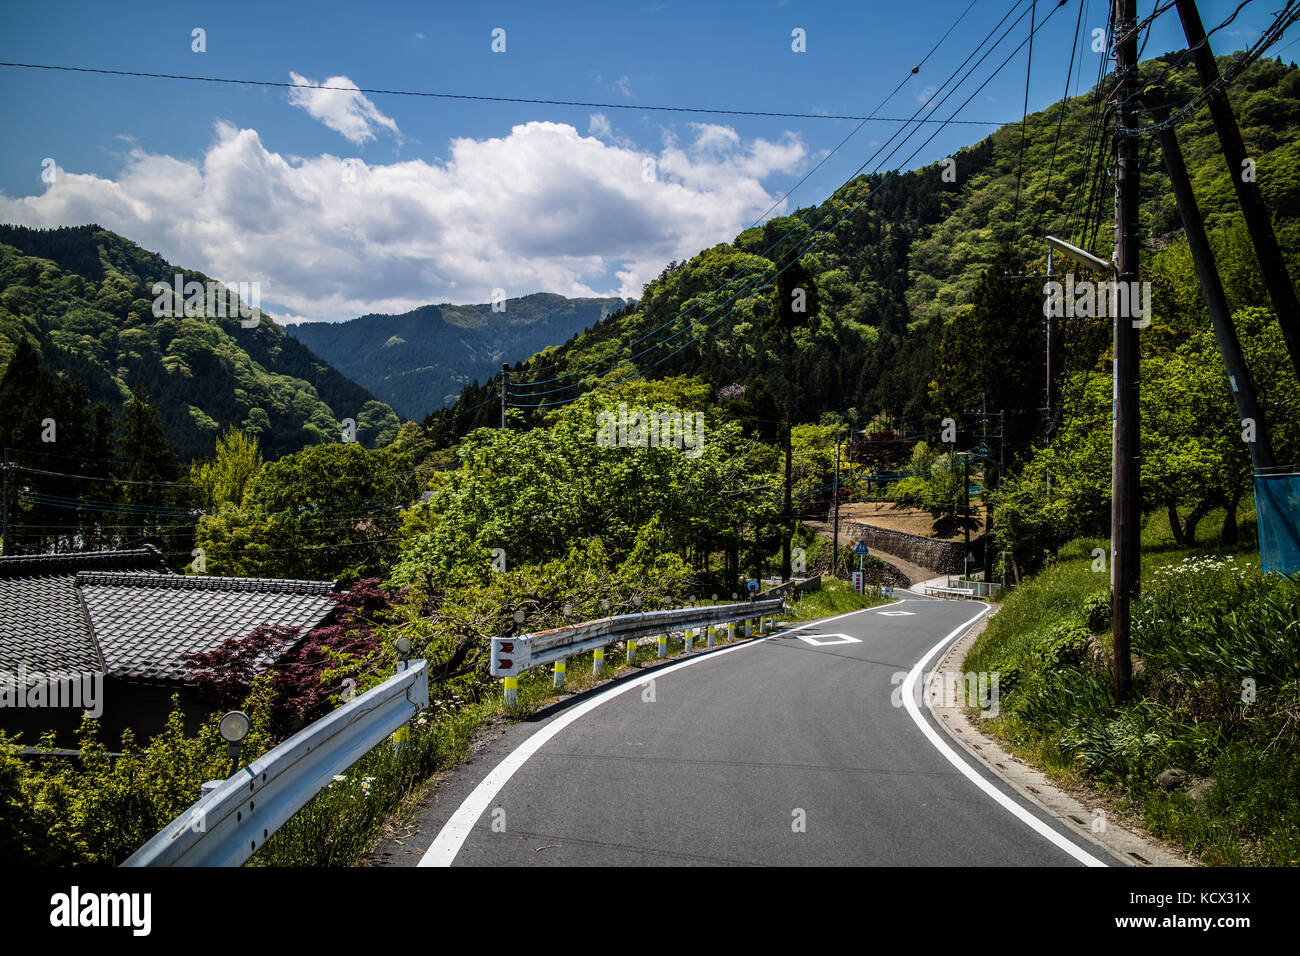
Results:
125 615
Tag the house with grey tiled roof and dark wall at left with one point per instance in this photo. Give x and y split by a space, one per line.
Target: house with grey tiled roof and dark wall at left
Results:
103 633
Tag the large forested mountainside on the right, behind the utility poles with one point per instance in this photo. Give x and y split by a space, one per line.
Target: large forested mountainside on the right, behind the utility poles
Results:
900 262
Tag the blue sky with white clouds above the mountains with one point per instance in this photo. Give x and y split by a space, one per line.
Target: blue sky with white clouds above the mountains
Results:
341 204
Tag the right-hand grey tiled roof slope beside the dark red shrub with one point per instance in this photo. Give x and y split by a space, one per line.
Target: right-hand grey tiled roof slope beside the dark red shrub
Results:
145 624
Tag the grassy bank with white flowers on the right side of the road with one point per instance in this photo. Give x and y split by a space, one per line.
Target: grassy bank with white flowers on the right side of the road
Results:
1216 693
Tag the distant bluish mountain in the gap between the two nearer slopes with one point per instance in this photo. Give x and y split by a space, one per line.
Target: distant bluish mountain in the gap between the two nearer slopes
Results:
418 362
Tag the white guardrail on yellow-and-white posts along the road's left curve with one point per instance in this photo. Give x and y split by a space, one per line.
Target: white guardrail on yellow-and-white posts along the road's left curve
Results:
513 656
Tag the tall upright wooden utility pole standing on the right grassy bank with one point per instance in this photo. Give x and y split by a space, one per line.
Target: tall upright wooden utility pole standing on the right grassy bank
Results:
1126 491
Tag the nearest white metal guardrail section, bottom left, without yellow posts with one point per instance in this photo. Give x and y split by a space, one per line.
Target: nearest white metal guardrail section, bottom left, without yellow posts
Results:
228 824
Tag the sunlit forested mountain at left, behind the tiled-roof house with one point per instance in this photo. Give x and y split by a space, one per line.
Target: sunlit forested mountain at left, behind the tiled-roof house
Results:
85 299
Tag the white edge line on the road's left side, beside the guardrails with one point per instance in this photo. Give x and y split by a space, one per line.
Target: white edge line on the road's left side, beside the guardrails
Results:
454 833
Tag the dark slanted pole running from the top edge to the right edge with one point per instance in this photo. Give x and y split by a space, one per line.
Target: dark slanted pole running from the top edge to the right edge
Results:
1256 214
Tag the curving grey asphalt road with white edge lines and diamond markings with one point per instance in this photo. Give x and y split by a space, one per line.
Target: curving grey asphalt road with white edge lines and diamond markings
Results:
788 751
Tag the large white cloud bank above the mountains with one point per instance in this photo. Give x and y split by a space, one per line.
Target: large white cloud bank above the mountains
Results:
543 209
